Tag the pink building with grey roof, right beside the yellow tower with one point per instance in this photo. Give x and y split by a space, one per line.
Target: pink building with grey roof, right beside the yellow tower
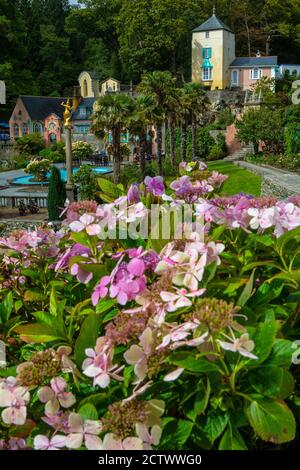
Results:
245 71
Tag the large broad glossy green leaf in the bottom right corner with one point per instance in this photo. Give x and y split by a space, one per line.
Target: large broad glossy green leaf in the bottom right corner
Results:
272 420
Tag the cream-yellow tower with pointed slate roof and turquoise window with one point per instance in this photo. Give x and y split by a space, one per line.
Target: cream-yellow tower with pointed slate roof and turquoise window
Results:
213 50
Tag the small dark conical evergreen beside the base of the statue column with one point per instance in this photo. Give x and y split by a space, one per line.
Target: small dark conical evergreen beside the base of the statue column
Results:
56 194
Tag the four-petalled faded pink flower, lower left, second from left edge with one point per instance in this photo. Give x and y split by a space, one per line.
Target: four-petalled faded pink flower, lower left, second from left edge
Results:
56 395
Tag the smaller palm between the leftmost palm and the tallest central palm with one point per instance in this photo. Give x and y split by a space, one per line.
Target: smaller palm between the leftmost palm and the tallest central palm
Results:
139 122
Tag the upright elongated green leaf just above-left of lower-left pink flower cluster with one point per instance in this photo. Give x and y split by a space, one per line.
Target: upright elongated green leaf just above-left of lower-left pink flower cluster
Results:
87 338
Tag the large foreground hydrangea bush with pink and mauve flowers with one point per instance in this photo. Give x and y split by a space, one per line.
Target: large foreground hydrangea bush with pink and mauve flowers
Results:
154 343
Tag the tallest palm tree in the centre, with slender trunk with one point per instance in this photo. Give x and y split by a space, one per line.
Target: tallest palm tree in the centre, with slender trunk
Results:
159 85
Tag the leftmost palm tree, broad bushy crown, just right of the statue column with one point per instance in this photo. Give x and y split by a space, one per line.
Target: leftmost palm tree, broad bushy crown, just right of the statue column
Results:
110 116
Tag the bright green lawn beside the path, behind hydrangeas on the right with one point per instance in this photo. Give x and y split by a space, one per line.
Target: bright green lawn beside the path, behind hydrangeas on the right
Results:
239 180
